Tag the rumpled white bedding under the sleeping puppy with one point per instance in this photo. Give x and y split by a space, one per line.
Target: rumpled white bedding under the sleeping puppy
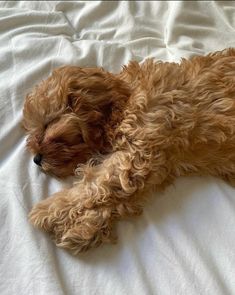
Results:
184 241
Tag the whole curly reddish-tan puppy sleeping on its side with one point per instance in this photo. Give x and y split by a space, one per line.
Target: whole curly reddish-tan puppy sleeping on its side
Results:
123 134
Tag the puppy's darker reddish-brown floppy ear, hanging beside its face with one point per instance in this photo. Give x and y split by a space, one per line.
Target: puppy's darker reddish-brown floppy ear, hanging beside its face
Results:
94 96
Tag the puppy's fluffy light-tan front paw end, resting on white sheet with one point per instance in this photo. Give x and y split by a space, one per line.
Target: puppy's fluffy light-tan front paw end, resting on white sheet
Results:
71 224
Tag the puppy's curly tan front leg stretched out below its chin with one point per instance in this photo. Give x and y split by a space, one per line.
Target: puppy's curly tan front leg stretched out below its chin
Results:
82 217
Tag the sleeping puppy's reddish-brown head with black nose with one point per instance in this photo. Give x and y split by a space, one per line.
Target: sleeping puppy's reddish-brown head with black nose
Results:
66 117
